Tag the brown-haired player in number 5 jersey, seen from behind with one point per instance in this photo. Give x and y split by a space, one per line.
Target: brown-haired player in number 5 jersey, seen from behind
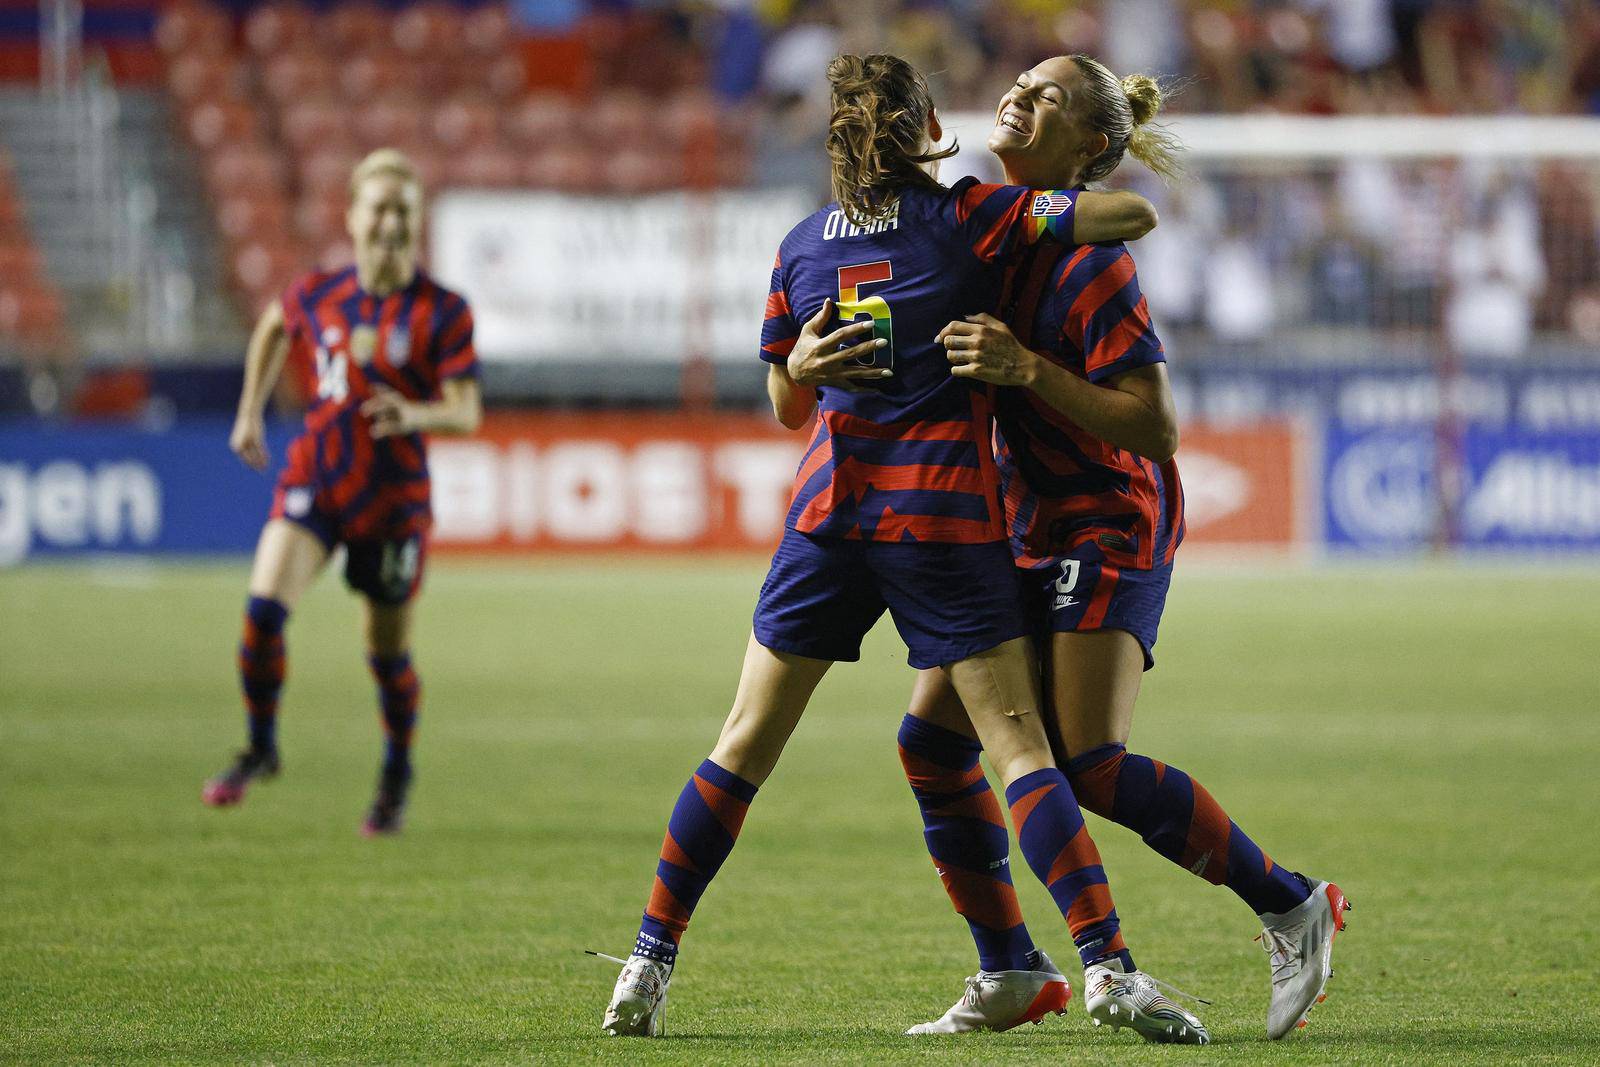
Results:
895 506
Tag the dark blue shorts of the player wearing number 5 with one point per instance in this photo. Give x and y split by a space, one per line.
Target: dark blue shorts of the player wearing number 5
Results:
948 601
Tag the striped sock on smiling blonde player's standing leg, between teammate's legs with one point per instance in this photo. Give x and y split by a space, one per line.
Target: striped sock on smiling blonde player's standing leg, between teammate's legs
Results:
967 839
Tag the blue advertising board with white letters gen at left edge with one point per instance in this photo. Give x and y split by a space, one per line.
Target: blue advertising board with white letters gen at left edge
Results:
106 489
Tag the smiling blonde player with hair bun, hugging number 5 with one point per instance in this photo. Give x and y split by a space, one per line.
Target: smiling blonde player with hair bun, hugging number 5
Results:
1095 510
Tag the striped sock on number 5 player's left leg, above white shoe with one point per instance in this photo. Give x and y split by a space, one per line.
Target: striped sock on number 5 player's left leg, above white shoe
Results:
702 833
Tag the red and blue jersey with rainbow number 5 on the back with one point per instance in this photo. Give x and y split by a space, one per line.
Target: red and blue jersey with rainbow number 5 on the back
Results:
908 458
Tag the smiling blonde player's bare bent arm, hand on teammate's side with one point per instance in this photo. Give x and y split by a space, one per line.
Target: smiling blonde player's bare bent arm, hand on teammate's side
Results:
1134 410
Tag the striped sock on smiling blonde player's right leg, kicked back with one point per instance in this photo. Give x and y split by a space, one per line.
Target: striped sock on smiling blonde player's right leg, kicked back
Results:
1180 820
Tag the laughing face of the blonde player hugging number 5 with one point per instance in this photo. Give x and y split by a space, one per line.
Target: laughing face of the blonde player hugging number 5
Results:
1041 135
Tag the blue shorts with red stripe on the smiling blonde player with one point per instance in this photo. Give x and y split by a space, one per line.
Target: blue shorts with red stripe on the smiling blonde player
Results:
1081 593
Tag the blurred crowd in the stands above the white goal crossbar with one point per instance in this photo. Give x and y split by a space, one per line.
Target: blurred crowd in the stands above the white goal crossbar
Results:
1302 57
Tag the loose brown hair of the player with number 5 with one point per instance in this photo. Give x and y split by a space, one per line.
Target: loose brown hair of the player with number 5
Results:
878 138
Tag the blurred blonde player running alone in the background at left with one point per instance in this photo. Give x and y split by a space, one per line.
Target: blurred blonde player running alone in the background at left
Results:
390 358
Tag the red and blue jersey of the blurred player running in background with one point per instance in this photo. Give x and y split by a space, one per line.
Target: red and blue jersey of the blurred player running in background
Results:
345 343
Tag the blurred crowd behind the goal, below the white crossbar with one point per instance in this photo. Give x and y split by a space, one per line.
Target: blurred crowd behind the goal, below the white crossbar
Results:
1481 257
